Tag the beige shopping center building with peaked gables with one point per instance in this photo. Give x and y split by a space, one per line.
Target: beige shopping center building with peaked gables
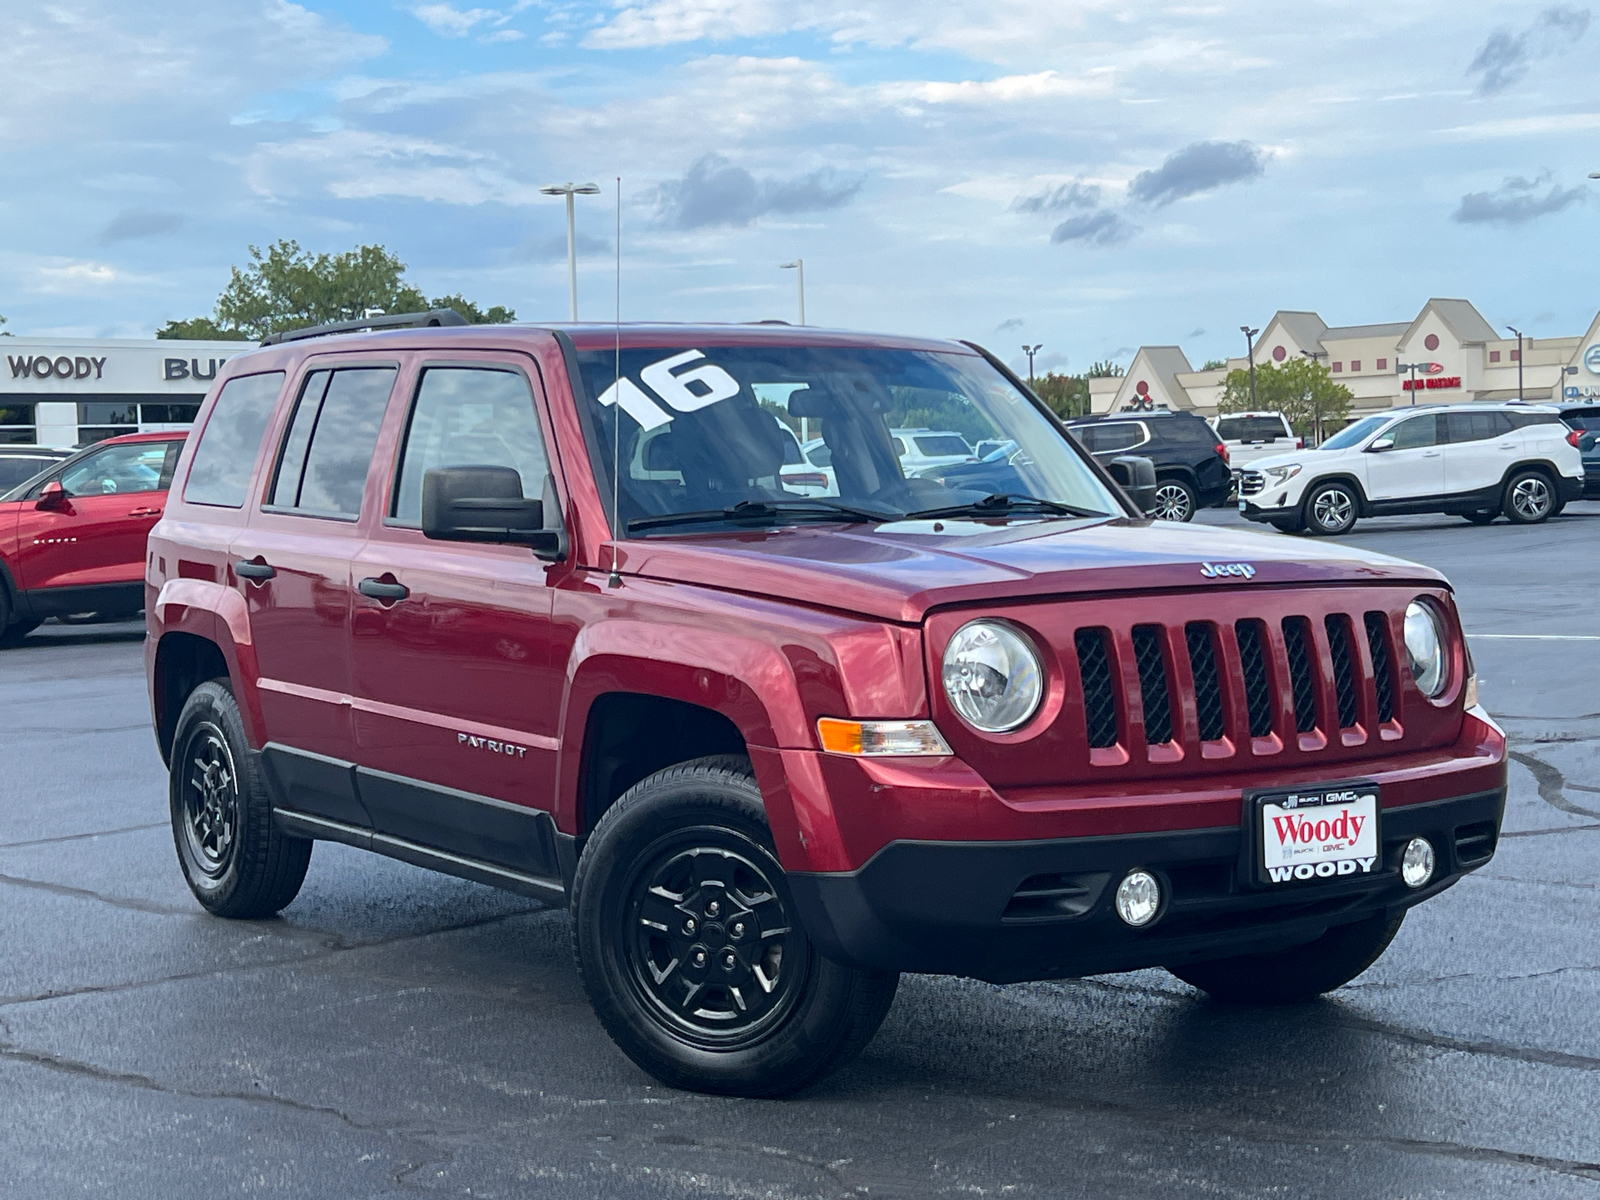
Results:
1458 356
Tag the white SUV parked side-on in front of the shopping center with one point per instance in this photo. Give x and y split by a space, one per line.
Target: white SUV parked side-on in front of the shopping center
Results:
1479 462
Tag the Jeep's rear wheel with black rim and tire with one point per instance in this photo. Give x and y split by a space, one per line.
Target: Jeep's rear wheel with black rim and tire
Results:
234 857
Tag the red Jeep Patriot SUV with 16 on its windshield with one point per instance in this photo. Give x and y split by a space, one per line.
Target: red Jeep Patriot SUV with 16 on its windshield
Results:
532 606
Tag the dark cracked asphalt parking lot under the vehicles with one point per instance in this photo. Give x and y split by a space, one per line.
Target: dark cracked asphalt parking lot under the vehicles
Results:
399 1033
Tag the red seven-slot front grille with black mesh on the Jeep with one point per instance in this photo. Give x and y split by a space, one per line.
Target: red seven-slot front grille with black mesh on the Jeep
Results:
1297 682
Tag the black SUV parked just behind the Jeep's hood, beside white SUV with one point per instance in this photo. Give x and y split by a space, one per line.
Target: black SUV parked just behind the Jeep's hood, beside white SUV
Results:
1191 463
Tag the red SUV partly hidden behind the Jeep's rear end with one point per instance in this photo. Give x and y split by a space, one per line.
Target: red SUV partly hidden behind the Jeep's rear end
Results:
73 540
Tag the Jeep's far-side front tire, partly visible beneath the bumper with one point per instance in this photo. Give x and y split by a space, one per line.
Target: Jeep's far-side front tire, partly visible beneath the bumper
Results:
1297 975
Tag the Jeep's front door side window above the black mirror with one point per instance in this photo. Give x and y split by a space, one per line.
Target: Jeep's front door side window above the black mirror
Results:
468 417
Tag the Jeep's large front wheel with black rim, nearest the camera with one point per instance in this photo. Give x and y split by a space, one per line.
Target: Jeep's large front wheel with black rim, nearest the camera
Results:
690 948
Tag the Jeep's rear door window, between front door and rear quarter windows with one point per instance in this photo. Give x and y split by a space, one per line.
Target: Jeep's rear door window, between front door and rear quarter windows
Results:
329 449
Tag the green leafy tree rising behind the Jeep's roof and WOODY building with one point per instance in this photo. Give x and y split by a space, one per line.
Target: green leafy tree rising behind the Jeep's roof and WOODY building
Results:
289 289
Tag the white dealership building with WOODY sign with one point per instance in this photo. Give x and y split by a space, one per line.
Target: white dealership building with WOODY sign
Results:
70 391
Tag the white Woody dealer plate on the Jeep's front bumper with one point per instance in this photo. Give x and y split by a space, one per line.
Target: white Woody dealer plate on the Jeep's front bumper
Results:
1318 833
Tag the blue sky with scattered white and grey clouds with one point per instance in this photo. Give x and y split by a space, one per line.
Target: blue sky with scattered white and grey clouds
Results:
1092 177
